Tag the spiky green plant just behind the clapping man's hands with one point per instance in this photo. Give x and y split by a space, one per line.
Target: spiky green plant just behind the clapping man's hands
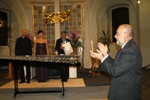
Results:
105 39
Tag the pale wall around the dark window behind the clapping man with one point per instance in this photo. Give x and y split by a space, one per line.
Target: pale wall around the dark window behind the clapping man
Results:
98 19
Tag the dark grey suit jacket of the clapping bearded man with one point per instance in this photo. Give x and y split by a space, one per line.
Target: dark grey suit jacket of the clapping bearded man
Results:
126 73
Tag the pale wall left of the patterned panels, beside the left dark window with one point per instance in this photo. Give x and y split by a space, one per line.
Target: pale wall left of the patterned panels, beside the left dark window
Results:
18 18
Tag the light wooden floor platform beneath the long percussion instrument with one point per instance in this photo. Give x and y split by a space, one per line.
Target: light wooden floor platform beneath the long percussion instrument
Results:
73 82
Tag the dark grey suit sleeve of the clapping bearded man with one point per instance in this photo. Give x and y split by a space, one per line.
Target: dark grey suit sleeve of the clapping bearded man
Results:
121 65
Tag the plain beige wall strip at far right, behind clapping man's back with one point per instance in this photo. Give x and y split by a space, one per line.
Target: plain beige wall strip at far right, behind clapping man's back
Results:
144 15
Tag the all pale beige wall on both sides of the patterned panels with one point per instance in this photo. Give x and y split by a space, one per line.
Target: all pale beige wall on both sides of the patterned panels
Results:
96 19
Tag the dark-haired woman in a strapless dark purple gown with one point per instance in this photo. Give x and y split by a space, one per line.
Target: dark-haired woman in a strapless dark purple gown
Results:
41 48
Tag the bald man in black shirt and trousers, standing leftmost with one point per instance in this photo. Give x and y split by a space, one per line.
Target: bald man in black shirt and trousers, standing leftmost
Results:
23 47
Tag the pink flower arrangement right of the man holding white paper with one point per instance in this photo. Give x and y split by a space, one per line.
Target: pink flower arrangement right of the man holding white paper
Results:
74 37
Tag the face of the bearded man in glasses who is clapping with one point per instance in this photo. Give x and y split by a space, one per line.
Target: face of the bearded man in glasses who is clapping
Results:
120 36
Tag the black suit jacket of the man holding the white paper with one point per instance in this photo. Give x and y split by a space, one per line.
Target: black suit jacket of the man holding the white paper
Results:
58 44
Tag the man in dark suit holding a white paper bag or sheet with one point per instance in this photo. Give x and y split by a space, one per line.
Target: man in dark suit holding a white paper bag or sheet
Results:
59 48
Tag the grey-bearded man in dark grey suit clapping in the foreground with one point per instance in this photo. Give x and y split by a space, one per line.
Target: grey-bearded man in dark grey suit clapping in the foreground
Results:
125 69
